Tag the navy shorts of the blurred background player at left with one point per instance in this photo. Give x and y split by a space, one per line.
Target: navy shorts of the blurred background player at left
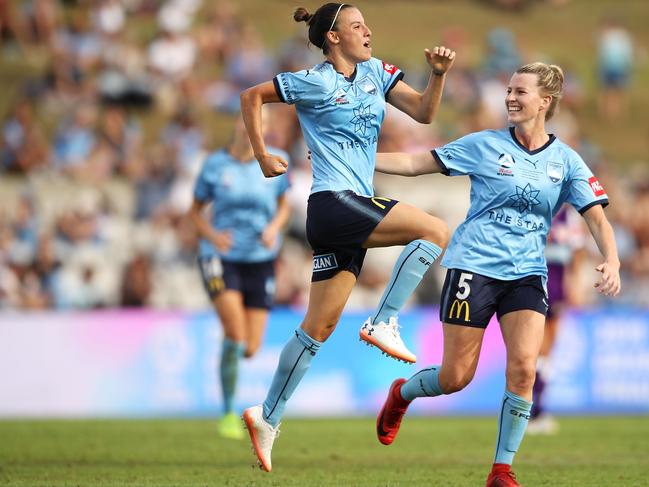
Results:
255 281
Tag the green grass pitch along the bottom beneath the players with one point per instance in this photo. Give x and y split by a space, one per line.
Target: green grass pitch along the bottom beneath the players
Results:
429 451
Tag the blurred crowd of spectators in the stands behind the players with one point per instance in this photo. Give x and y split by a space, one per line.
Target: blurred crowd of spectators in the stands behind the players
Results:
92 210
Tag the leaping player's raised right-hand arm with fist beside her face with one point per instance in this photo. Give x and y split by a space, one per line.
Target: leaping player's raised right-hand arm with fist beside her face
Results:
423 107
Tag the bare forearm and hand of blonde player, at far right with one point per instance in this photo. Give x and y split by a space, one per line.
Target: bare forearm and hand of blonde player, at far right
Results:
599 226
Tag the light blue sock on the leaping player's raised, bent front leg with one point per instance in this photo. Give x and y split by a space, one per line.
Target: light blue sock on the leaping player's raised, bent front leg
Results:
415 259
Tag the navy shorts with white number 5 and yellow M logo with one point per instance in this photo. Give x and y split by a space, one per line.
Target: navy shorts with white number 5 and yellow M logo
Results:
471 299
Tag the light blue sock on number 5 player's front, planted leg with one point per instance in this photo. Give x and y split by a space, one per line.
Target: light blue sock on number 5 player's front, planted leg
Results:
512 422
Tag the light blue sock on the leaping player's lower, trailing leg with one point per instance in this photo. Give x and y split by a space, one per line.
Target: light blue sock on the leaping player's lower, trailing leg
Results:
294 361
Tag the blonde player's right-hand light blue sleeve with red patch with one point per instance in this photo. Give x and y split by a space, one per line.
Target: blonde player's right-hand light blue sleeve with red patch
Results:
582 189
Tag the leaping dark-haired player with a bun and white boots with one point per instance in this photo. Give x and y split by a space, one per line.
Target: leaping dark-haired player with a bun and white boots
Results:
340 105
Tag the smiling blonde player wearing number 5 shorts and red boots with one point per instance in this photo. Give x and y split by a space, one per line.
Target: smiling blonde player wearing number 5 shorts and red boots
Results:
520 177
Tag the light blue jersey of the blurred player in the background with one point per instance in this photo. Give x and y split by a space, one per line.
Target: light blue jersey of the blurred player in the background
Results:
243 202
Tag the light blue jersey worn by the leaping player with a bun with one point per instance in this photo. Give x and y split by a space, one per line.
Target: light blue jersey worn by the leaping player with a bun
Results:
341 120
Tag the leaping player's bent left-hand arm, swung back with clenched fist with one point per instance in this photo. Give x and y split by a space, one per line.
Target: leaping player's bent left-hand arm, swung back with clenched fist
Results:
251 101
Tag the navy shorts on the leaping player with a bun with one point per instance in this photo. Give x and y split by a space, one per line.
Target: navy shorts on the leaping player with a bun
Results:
338 223
